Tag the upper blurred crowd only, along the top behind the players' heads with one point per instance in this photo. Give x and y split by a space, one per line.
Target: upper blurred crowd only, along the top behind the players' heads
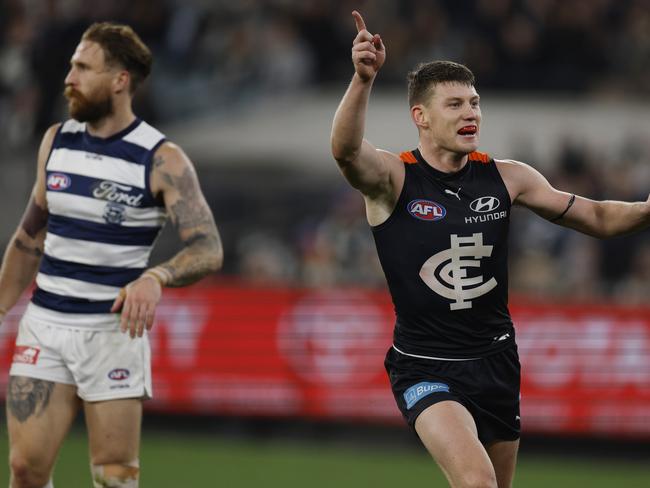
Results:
227 52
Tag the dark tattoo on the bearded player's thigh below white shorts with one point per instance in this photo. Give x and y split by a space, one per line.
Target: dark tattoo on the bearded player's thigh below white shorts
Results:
27 395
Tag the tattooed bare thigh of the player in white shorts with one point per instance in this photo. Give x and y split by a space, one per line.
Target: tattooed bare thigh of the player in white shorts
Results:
39 415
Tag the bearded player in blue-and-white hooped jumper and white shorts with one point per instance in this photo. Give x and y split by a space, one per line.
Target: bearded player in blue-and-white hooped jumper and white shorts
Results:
106 183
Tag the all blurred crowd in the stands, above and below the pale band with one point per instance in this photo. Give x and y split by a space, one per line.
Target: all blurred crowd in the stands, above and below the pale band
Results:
230 54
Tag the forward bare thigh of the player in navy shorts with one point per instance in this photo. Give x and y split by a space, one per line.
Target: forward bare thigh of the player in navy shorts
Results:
449 433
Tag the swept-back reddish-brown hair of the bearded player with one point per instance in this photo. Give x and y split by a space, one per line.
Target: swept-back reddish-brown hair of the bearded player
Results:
121 45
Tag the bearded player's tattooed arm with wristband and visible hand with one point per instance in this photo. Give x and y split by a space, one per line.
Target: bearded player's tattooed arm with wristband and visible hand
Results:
173 176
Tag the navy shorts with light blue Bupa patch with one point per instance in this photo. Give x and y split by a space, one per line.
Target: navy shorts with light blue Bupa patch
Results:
488 387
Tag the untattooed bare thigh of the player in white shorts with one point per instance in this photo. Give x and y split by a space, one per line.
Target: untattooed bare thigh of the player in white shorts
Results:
114 430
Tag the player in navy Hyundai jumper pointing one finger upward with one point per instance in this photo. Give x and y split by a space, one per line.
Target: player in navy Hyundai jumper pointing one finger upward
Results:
439 216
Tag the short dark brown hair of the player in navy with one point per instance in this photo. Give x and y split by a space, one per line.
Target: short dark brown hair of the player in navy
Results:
427 75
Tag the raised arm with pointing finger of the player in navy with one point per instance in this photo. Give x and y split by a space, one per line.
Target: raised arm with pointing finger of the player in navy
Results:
366 168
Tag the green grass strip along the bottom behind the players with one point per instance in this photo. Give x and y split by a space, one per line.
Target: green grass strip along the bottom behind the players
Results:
182 461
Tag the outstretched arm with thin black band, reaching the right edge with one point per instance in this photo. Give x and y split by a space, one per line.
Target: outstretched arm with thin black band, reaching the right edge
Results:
601 219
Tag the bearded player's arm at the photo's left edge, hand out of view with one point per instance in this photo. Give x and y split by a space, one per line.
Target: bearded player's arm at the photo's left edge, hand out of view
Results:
25 249
